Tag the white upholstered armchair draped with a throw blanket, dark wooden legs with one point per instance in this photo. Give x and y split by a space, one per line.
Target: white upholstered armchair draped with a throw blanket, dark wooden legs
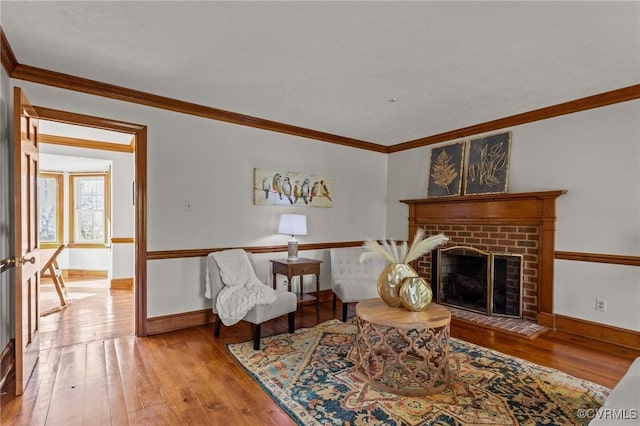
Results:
284 302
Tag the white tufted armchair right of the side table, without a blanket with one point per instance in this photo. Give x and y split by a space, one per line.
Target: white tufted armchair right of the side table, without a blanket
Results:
352 281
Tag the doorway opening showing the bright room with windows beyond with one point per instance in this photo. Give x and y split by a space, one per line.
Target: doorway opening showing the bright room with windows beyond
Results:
87 222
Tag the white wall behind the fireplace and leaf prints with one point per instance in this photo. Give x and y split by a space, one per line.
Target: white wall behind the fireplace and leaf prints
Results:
595 155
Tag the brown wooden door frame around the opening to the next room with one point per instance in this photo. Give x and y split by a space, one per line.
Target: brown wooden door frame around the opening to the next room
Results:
139 131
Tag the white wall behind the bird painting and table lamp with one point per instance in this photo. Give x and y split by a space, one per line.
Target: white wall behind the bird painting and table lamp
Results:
211 163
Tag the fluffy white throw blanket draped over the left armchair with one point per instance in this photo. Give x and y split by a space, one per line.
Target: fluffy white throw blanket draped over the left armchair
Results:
243 290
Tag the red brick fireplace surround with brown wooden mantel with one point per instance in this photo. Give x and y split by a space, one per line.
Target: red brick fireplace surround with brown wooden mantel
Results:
516 223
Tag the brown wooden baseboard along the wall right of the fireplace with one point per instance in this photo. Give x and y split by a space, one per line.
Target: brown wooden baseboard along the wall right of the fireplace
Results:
601 332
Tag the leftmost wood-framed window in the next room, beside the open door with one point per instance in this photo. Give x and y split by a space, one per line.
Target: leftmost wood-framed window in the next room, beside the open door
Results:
50 193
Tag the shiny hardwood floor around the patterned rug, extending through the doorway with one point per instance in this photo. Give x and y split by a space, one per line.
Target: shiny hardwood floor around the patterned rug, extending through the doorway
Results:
109 377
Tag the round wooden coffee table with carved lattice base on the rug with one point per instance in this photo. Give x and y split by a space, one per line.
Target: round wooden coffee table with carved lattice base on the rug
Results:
404 352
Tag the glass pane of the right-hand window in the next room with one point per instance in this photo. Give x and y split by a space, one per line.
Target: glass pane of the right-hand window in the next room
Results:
89 209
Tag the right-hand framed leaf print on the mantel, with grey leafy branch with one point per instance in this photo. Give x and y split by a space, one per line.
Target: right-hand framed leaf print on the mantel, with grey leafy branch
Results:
488 164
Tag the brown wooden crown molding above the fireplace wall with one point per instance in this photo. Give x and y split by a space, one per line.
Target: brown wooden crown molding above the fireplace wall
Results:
603 99
